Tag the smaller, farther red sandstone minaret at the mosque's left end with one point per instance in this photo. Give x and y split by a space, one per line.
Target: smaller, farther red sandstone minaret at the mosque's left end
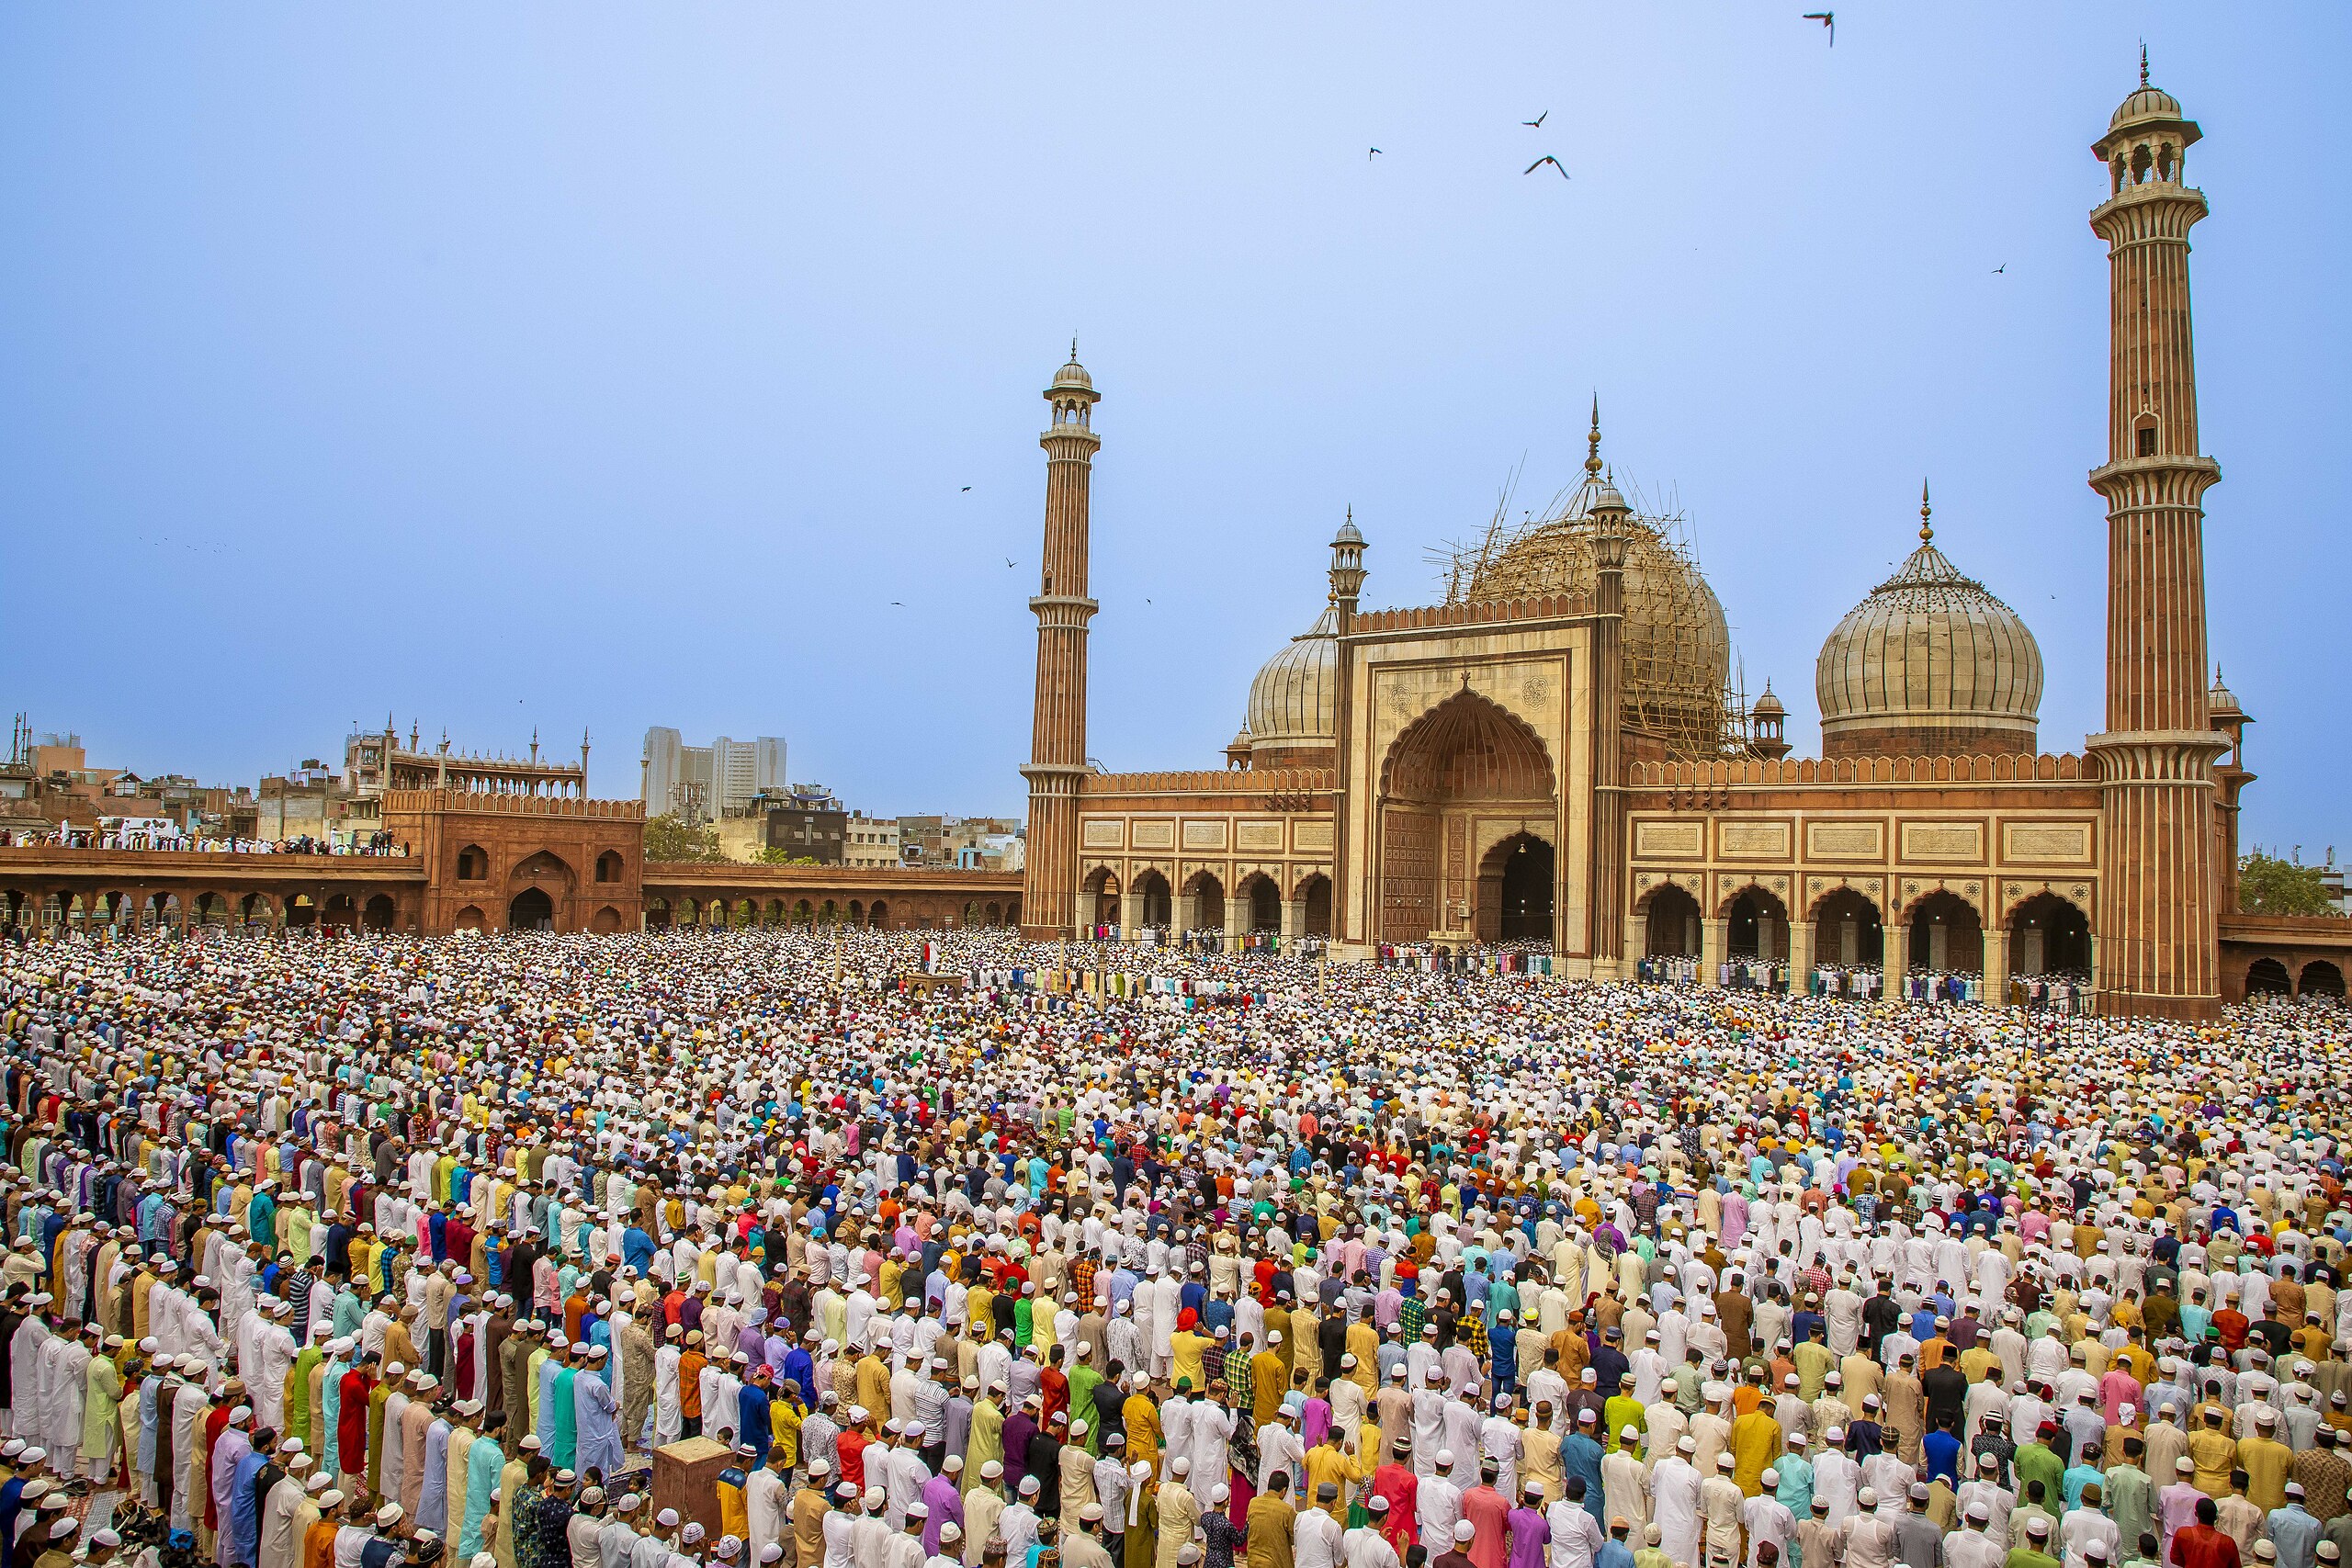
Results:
1060 723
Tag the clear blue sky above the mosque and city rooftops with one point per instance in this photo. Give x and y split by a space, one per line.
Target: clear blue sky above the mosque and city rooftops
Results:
617 366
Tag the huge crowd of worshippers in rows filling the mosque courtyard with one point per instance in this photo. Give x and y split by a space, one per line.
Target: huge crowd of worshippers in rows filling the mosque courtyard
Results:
777 1247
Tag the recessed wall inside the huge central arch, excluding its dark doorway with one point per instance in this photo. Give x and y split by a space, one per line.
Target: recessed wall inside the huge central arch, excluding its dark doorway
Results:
1466 756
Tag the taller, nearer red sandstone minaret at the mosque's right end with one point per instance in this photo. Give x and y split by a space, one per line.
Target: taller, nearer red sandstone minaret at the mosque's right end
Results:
2160 887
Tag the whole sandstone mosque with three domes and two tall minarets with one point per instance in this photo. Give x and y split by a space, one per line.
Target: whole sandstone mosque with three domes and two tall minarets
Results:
1556 753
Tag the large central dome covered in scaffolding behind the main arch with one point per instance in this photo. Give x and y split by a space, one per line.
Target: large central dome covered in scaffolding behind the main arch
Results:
1683 692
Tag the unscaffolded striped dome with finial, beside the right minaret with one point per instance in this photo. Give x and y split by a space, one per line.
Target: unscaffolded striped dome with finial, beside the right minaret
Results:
1930 664
